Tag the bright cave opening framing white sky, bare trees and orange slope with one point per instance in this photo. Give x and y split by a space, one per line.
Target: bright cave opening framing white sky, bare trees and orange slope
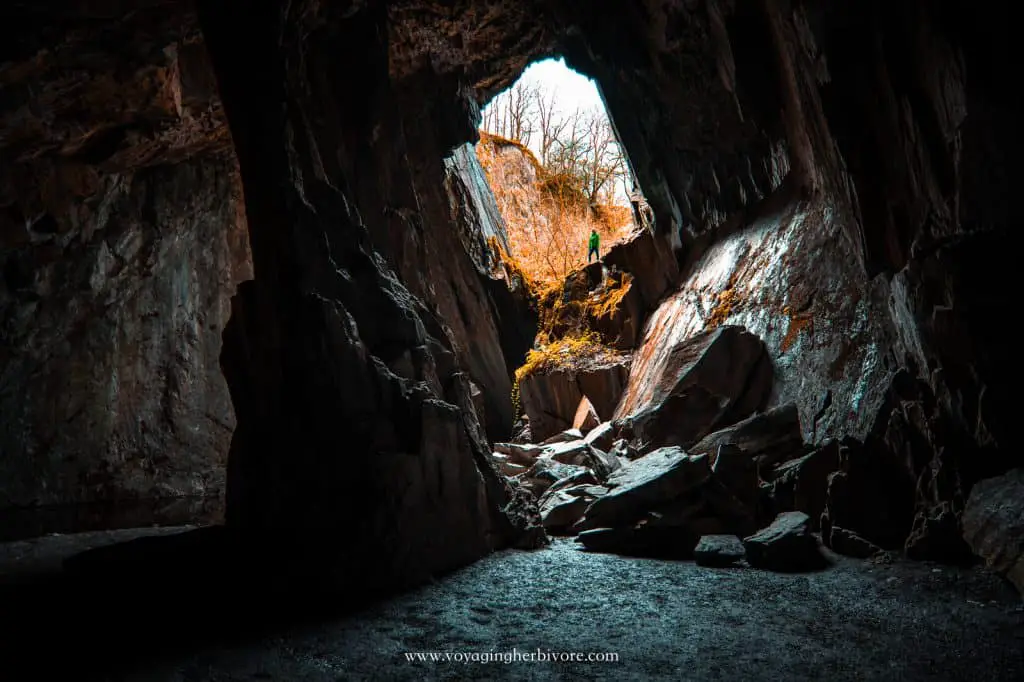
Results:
559 172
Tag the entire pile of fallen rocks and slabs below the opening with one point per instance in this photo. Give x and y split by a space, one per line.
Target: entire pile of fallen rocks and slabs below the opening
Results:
701 470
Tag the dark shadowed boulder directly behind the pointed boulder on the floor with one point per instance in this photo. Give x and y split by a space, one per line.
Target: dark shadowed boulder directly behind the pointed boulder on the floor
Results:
802 485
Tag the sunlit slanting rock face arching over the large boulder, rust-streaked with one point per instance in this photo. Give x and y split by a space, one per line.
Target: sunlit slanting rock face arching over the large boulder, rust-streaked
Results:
791 280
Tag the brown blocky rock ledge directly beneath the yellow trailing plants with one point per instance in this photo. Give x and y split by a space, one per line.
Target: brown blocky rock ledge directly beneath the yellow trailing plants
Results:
551 399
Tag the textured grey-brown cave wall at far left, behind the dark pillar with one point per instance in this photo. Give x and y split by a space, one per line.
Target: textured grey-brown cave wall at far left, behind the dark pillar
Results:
121 241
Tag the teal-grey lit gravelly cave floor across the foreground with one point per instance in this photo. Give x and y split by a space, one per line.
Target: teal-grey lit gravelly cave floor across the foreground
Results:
665 620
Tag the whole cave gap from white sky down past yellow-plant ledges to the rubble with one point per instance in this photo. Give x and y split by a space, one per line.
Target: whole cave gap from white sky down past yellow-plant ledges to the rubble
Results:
568 195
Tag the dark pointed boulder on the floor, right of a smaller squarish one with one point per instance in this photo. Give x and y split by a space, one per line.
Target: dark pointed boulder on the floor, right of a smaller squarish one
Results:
787 545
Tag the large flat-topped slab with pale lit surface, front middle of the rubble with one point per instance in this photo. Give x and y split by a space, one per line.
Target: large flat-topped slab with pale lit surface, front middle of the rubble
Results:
649 483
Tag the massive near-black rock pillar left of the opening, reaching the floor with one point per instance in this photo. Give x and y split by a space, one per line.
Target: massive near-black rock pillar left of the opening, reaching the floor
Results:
357 435
